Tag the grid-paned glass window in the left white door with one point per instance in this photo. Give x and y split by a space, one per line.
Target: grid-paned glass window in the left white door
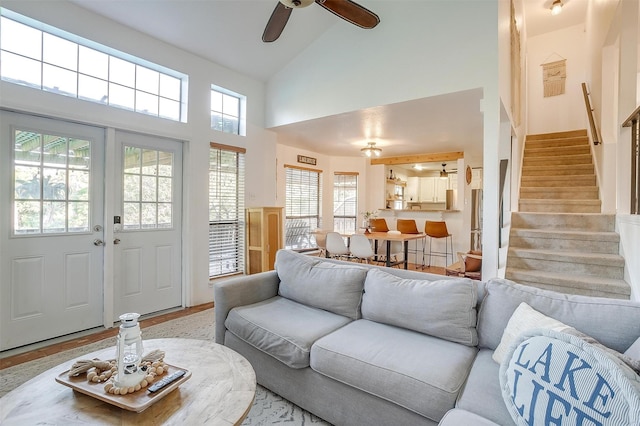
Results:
51 183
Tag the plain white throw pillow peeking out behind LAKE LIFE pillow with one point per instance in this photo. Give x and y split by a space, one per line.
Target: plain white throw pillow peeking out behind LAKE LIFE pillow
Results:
524 318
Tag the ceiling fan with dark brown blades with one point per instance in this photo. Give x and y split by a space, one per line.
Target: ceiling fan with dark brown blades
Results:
346 9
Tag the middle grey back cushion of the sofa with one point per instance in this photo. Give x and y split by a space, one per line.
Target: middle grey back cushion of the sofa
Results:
443 308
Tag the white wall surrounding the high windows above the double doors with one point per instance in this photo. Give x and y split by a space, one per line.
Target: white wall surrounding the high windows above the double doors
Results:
196 134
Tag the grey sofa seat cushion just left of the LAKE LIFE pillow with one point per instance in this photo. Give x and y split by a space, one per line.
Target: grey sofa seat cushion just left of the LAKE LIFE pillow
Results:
482 394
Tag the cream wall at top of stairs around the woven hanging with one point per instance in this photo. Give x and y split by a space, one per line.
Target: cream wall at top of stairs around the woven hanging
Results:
566 111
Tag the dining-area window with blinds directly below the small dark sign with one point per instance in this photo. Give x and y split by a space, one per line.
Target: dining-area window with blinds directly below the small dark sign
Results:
303 206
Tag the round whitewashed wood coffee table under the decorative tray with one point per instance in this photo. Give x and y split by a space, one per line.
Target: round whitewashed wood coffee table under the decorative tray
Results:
220 391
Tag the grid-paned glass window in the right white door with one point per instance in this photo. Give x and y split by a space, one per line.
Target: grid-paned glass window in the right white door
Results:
147 192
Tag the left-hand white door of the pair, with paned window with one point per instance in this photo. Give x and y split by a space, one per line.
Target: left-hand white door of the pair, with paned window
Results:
51 228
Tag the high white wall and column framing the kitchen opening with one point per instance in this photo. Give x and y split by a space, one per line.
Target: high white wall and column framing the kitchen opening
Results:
409 56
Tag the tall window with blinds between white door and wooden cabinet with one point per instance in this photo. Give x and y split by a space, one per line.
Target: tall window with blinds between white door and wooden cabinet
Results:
226 210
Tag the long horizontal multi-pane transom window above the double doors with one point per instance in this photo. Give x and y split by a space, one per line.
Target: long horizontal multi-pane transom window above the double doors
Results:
49 60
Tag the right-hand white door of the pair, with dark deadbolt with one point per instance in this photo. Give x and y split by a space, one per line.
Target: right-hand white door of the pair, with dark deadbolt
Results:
148 249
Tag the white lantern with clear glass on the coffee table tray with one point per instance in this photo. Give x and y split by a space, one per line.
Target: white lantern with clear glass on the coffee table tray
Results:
129 352
